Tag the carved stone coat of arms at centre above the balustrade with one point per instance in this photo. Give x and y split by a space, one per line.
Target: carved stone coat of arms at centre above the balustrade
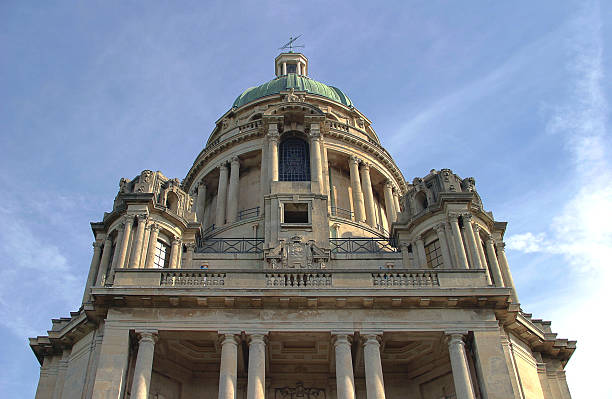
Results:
297 255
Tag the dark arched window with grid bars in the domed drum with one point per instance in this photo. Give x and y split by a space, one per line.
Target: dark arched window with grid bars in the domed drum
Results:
294 160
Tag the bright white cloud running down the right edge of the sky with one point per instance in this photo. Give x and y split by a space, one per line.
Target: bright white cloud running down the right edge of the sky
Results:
582 231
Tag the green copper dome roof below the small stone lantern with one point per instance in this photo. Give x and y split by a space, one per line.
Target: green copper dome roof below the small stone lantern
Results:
288 82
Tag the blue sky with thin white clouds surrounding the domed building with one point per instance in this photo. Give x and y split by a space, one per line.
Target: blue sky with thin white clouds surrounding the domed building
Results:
512 93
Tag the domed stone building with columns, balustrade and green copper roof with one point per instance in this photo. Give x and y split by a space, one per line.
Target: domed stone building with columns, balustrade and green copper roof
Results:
295 261
